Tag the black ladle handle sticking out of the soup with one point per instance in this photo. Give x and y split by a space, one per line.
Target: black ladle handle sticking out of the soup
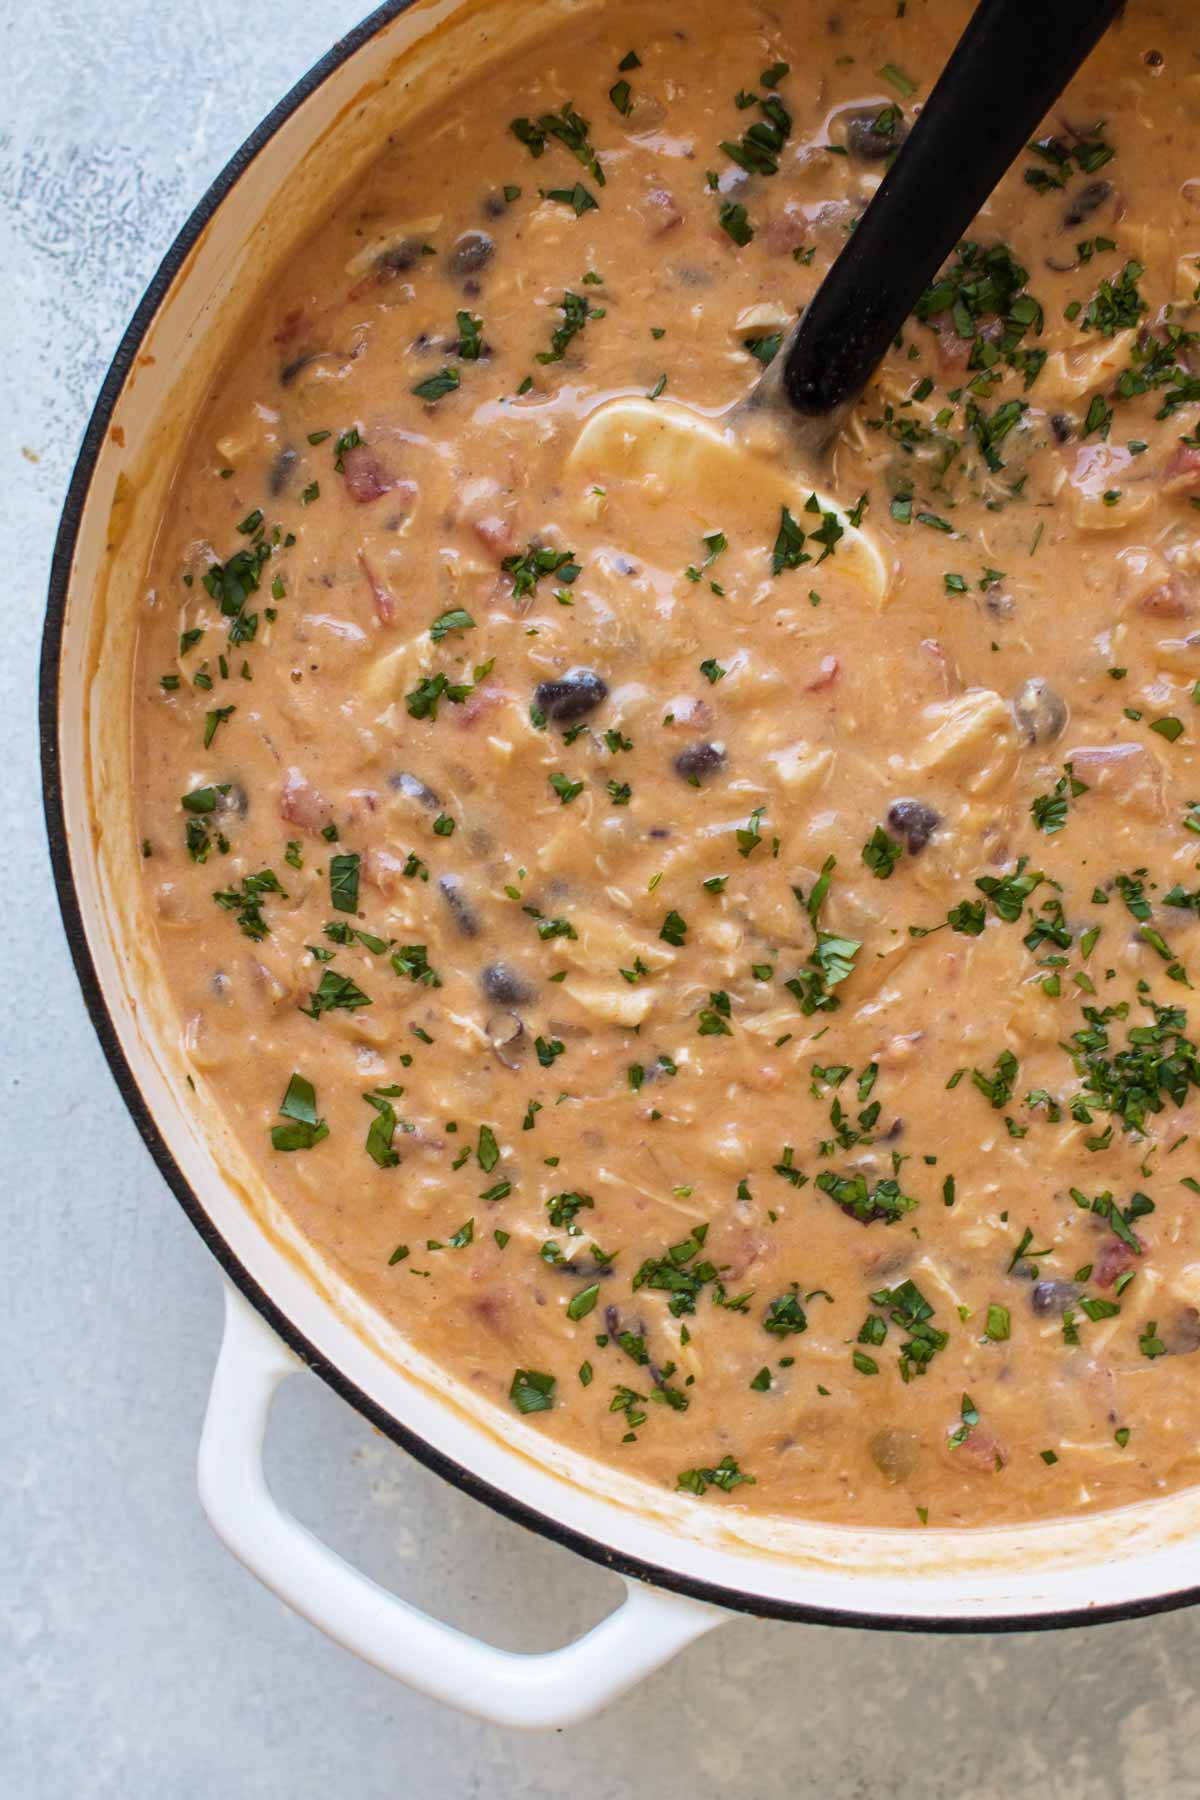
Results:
1010 66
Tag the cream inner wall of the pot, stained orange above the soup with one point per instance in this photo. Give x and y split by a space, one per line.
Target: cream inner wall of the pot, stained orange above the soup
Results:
282 193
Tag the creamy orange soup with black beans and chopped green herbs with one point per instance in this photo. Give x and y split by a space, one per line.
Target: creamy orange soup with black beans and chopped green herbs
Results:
730 1014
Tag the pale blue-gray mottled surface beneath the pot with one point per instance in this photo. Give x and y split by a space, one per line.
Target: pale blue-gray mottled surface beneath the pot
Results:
136 1659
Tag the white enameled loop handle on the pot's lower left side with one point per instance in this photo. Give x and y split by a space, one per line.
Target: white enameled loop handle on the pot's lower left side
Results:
530 1691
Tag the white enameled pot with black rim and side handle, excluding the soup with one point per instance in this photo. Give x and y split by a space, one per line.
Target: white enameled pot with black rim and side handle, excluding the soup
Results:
686 1563
